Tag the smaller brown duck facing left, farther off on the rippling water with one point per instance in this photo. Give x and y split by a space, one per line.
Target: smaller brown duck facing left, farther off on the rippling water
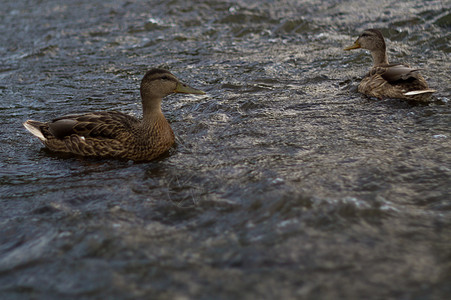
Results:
386 80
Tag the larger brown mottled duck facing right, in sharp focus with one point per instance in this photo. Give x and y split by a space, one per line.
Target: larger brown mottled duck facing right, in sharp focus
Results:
115 134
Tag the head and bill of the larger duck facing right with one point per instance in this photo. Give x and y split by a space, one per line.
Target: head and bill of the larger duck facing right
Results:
158 83
